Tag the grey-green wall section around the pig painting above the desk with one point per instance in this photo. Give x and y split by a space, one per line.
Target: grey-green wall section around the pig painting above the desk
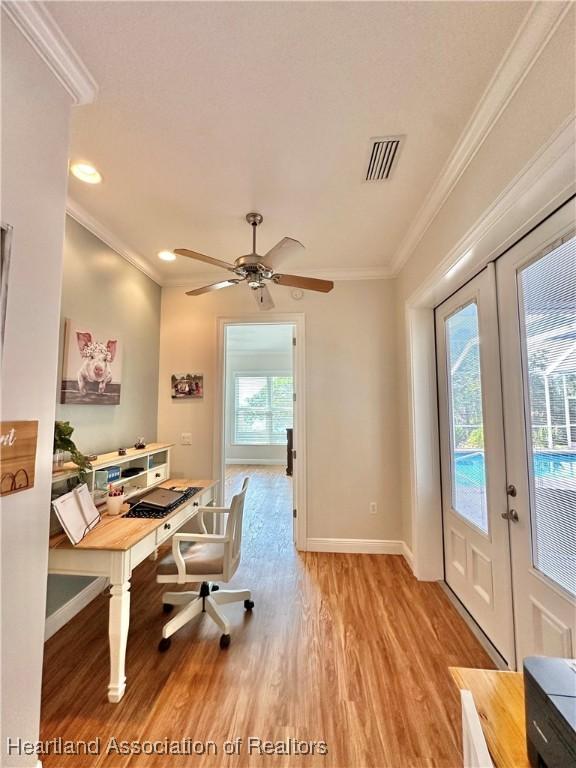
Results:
100 289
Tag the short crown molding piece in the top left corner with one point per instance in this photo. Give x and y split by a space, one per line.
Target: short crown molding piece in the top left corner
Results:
39 28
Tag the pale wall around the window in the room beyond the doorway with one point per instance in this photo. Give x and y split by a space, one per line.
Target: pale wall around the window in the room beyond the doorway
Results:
253 363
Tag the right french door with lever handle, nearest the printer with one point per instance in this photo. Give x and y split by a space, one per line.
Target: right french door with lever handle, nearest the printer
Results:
537 306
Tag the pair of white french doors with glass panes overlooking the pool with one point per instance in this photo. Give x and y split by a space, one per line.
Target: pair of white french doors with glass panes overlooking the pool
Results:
506 351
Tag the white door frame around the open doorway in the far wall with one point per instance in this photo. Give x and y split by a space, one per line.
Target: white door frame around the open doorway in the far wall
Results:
297 320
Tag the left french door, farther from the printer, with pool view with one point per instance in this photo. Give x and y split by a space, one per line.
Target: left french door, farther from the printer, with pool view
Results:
476 531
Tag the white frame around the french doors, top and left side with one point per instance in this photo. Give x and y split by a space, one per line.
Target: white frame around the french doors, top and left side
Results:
547 181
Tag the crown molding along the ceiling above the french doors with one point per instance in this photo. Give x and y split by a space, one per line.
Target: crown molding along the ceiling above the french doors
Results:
537 28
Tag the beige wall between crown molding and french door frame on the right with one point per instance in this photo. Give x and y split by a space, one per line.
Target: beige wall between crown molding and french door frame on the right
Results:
541 105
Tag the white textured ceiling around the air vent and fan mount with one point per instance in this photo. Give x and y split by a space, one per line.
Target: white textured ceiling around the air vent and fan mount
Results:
209 110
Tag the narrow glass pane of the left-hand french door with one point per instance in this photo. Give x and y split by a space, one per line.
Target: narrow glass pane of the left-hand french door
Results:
466 417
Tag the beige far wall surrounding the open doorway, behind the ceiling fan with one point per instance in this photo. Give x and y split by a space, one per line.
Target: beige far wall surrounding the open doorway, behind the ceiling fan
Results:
350 397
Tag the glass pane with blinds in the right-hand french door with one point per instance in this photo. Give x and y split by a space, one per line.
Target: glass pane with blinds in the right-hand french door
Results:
547 289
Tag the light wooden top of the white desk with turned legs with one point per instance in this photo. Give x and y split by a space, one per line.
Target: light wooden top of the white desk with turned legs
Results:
119 533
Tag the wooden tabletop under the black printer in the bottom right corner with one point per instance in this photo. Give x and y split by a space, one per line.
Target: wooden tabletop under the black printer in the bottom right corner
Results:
499 699
